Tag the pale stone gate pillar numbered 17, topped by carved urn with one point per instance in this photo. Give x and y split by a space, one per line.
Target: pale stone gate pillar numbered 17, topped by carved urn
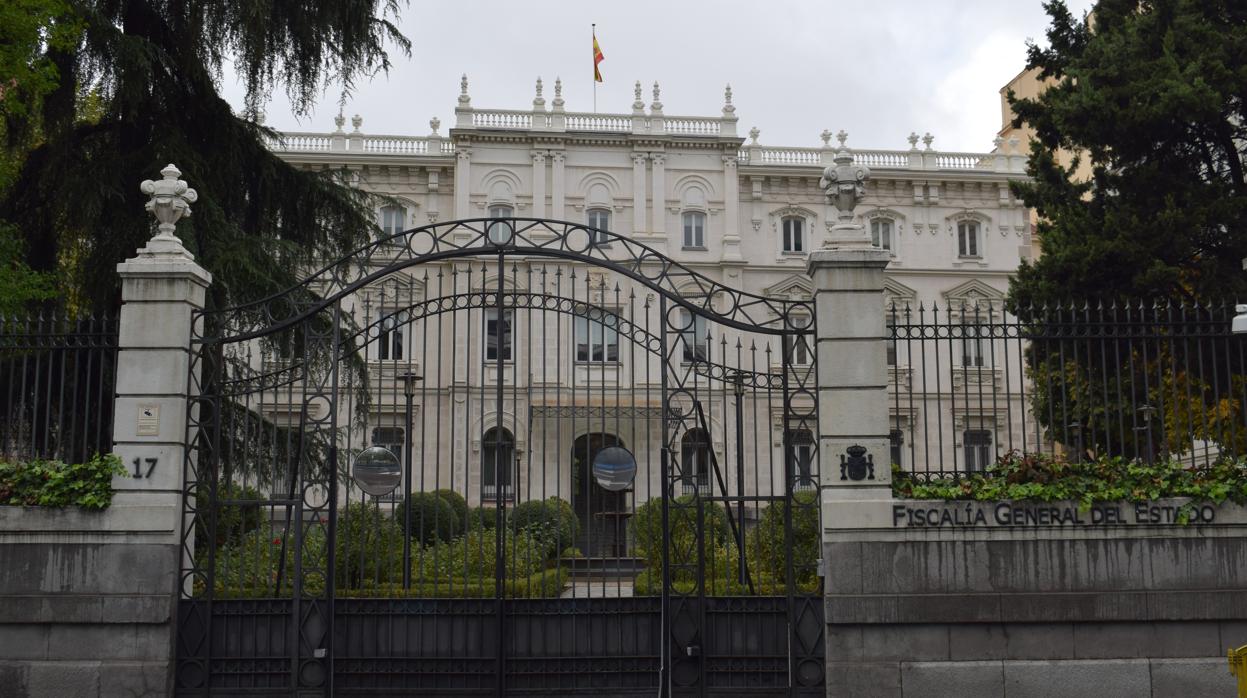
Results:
161 289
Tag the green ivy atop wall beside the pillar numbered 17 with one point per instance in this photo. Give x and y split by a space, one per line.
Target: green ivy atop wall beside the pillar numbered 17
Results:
43 483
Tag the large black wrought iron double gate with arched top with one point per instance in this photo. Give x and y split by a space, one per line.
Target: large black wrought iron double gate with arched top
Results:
605 468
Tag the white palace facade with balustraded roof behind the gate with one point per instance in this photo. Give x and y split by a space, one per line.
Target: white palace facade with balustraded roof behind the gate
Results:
700 191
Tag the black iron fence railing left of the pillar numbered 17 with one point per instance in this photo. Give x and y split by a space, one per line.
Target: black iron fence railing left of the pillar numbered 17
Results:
57 386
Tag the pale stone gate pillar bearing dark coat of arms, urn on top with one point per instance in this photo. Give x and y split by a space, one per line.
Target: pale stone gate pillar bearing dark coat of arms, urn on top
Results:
854 423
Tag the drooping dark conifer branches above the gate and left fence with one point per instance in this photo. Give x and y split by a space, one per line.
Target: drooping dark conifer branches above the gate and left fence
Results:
156 67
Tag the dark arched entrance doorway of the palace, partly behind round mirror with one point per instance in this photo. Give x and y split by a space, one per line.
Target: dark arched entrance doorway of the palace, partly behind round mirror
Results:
603 514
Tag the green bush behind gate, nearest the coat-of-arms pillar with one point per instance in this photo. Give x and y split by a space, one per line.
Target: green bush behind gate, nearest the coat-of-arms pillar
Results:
768 552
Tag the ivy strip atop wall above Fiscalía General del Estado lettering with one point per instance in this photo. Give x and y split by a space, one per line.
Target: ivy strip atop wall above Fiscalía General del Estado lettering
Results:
1043 478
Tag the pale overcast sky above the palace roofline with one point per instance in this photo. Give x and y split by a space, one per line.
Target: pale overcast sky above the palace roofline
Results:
877 70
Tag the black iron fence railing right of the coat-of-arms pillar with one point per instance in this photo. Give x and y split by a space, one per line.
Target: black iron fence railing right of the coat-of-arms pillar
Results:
973 382
